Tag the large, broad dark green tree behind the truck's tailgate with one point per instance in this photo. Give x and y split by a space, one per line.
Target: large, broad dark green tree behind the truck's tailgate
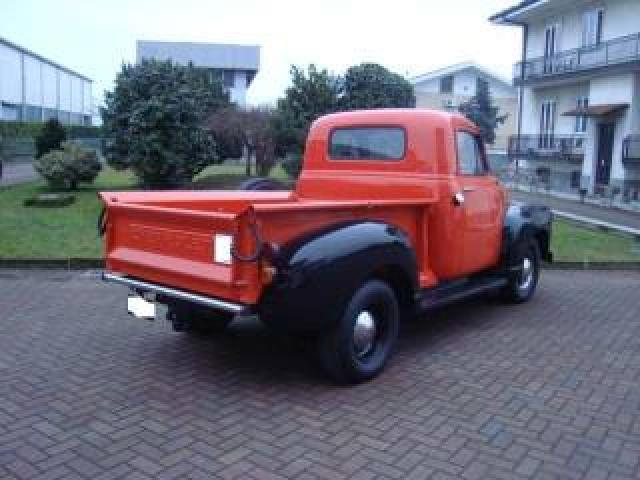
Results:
155 121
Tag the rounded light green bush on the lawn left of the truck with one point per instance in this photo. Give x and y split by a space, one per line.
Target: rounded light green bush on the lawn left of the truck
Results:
68 167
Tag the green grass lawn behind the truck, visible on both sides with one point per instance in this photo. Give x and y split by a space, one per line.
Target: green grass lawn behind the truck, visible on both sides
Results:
48 233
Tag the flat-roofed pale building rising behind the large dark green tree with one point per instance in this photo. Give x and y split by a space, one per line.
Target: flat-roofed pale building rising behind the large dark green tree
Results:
236 65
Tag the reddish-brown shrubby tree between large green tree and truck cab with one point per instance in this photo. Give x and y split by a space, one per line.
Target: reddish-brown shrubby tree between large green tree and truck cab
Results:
252 129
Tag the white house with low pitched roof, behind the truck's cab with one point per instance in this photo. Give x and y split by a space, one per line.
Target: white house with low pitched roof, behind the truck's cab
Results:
447 88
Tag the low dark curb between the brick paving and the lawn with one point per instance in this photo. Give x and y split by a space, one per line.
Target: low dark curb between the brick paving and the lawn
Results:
98 263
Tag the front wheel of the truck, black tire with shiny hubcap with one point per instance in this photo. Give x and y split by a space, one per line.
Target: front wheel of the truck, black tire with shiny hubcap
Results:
523 278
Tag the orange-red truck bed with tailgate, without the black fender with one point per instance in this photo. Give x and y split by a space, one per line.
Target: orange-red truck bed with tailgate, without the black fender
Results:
167 237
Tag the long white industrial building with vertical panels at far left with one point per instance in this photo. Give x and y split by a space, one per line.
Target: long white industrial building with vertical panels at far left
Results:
34 88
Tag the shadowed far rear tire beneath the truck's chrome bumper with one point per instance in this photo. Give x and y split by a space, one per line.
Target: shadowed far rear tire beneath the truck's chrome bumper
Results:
197 319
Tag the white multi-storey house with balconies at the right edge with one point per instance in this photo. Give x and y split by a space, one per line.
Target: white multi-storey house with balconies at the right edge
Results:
579 81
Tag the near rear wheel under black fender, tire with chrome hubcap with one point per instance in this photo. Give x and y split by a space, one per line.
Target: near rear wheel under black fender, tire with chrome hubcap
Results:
346 356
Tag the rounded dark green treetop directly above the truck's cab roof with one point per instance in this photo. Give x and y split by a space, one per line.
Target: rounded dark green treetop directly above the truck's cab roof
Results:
370 85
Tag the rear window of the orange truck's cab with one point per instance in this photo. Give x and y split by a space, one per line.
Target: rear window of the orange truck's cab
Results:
367 143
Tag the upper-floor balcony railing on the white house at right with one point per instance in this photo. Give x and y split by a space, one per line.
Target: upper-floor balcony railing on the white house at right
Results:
617 51
